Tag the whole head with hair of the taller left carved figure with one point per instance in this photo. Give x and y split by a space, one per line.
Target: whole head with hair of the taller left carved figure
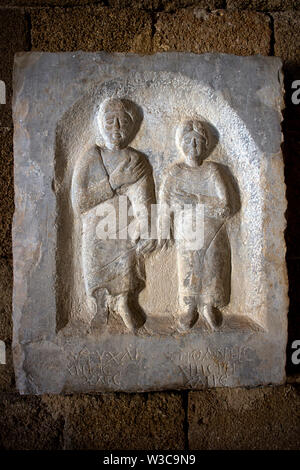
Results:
116 122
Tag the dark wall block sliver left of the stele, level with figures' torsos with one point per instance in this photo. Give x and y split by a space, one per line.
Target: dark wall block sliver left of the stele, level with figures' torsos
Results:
6 191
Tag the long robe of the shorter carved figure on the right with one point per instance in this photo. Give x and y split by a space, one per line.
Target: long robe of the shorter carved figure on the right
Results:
202 273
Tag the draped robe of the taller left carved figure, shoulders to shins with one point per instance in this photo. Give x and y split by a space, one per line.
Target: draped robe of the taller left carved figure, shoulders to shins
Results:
110 263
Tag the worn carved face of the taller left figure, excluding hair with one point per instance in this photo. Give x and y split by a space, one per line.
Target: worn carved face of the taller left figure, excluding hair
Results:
116 125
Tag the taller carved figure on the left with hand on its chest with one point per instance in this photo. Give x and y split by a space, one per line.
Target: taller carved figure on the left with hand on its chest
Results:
101 177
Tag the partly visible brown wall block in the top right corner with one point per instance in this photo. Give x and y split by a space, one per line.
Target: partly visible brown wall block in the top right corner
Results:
287 38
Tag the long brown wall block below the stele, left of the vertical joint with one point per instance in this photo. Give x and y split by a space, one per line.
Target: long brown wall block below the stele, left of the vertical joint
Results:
108 422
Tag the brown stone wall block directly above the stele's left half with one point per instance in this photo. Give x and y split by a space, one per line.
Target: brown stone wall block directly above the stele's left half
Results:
91 29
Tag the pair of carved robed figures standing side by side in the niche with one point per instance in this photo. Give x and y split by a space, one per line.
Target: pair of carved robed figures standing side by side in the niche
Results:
117 180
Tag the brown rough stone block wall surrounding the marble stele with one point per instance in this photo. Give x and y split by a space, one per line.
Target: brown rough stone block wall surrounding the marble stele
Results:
260 418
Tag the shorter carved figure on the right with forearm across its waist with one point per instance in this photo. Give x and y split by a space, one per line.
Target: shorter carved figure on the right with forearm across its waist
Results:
203 274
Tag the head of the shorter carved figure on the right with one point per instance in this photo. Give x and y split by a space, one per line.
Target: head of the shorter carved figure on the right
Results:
193 140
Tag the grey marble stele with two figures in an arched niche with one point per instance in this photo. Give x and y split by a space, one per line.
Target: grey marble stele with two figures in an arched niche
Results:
148 235
